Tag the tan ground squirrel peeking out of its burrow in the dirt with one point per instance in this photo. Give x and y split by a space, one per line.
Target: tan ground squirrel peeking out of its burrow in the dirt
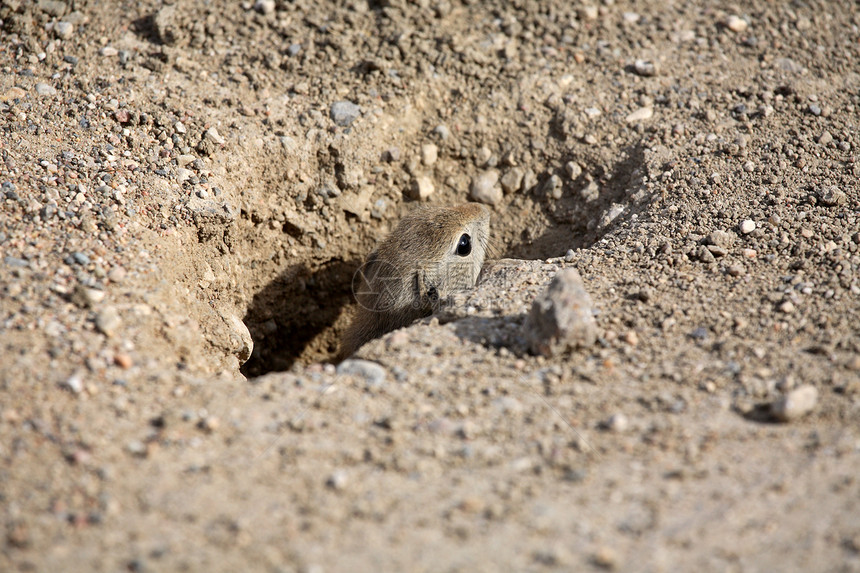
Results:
433 252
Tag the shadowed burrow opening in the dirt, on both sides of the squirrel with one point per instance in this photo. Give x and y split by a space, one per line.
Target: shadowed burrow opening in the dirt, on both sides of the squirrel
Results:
299 315
